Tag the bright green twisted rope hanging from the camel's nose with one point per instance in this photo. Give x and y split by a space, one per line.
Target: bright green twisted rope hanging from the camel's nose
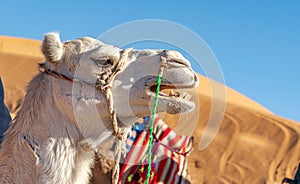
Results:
151 128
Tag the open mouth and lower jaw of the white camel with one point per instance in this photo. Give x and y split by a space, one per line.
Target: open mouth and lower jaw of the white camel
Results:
173 97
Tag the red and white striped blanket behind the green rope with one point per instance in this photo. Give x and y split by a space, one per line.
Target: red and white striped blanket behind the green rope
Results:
169 162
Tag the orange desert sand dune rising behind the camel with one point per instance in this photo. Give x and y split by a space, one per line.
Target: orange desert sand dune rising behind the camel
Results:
252 146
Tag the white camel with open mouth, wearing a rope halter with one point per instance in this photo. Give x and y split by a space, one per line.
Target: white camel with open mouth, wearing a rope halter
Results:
84 100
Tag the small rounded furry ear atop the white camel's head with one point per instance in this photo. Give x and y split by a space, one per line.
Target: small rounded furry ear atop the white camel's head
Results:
52 47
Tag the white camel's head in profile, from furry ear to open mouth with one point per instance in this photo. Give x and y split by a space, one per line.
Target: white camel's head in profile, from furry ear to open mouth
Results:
133 88
